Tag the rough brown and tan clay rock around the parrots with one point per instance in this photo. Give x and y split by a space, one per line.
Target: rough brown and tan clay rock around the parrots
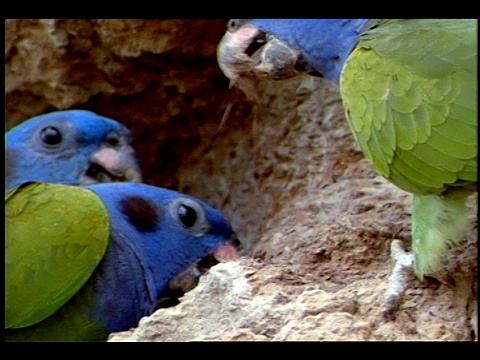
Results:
315 219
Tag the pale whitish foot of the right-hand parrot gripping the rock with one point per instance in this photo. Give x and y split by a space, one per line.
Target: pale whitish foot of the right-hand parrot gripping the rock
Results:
398 279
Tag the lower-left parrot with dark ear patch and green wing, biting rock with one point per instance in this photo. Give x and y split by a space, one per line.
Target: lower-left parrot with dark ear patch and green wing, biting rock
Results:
84 261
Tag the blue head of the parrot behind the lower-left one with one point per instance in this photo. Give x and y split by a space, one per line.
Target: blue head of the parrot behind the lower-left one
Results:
72 147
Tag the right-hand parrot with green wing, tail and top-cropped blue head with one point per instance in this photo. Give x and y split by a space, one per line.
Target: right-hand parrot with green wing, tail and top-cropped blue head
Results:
409 90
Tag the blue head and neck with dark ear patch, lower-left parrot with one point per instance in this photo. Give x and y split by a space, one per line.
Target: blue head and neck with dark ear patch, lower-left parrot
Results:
155 234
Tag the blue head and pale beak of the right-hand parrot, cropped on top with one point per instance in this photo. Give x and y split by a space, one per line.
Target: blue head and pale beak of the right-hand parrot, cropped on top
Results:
323 45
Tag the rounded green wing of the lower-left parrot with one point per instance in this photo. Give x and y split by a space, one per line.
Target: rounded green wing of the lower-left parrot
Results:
55 237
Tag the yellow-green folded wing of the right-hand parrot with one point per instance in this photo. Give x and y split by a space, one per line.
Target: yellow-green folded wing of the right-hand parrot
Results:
410 94
